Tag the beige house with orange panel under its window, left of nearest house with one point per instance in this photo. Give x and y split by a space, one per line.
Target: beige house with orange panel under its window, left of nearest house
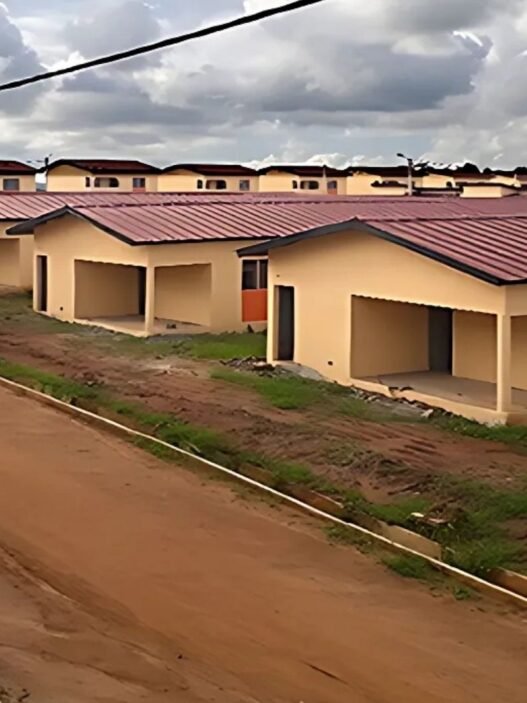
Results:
146 268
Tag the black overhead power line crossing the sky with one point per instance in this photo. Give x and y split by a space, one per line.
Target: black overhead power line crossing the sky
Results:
163 44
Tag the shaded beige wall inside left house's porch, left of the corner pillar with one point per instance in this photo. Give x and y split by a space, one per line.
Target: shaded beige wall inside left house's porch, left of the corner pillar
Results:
104 290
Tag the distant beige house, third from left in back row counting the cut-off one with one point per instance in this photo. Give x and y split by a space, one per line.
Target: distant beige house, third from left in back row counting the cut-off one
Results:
229 178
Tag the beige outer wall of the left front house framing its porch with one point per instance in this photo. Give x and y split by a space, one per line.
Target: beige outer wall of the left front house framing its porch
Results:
68 239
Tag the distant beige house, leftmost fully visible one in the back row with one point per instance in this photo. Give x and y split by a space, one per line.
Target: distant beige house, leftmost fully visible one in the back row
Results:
96 175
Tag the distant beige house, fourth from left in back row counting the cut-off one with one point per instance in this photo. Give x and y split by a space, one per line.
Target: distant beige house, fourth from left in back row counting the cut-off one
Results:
312 179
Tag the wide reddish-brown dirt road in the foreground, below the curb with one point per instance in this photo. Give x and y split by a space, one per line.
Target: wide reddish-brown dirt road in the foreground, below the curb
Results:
124 579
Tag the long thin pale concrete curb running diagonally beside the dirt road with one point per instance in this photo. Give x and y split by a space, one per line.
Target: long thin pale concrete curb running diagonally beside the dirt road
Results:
495 591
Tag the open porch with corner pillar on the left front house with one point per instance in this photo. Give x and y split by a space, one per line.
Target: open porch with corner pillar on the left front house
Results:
143 301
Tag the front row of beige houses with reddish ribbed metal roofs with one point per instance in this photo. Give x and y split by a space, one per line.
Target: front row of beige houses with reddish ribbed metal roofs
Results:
419 298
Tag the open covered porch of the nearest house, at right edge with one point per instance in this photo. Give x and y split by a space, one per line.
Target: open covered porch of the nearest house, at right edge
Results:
469 363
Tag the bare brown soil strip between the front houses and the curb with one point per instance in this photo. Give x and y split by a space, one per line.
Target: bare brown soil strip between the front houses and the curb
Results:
183 387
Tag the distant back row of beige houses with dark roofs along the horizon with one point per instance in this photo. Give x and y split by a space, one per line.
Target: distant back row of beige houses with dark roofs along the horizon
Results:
88 175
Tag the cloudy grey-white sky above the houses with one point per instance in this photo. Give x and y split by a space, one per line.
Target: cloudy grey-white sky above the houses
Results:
351 80
